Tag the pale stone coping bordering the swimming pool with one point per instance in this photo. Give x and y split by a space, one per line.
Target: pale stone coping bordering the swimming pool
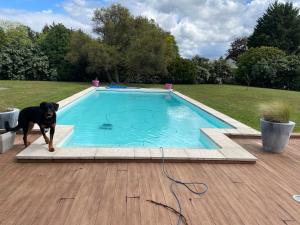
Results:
229 150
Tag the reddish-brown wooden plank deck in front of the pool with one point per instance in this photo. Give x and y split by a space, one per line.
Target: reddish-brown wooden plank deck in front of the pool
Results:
116 193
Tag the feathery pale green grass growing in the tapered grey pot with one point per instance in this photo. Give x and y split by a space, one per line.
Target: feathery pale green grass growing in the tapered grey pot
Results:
277 112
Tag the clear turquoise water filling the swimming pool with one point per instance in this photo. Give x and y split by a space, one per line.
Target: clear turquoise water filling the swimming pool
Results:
137 119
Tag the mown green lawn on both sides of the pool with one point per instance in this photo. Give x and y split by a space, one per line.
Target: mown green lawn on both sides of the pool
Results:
238 102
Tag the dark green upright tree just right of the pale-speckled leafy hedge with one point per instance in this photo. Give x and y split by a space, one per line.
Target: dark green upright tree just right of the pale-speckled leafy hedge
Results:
55 44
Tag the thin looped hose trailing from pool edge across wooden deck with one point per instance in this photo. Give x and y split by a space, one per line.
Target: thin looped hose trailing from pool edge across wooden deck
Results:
181 217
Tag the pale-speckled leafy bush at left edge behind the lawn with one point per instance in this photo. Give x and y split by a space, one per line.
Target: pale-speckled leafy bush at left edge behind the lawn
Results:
24 62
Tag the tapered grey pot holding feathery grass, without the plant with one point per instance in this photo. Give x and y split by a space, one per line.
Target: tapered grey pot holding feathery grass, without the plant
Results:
275 136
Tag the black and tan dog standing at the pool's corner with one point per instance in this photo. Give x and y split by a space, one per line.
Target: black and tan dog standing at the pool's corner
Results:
43 115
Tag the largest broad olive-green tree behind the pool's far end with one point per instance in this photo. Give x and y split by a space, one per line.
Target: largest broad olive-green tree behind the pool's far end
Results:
144 50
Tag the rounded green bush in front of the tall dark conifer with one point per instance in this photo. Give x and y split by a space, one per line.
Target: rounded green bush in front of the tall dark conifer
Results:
250 62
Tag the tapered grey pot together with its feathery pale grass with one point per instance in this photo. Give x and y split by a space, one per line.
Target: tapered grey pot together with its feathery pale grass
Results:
276 127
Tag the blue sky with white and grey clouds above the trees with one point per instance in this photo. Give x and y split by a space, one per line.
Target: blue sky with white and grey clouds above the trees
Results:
203 27
